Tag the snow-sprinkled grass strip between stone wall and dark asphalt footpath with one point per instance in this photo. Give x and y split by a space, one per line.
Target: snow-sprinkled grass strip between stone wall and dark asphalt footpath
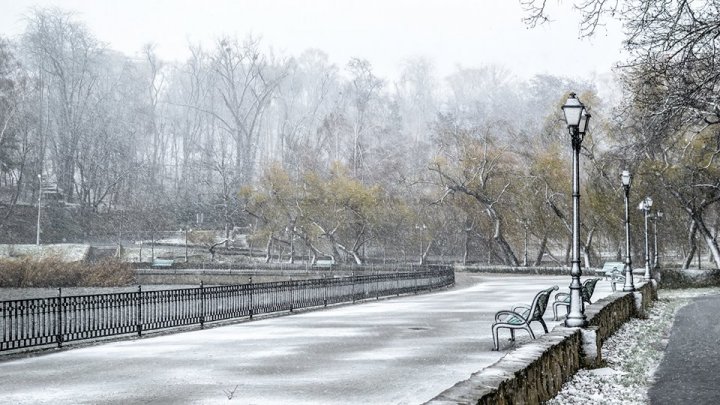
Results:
632 355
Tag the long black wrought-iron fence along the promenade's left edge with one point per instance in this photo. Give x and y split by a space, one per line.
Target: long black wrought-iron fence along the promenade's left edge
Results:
53 321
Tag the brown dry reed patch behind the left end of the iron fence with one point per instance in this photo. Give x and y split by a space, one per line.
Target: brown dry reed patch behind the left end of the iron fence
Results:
55 273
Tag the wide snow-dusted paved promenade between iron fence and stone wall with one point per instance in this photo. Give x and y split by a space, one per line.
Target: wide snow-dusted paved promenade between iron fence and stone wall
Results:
398 351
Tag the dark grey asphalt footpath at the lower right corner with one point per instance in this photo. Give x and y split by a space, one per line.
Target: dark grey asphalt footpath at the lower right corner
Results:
689 371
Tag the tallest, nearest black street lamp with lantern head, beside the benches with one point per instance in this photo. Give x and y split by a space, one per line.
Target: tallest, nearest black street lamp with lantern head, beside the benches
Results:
576 118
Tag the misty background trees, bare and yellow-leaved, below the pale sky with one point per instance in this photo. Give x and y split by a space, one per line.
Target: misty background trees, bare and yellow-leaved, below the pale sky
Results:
317 159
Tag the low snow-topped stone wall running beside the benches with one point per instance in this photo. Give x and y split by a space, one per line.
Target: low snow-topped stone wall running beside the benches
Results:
535 372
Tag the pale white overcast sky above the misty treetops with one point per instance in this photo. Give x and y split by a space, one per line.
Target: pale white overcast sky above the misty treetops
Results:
468 33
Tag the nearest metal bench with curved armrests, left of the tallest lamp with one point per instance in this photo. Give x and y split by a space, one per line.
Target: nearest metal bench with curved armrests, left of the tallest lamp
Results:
521 316
